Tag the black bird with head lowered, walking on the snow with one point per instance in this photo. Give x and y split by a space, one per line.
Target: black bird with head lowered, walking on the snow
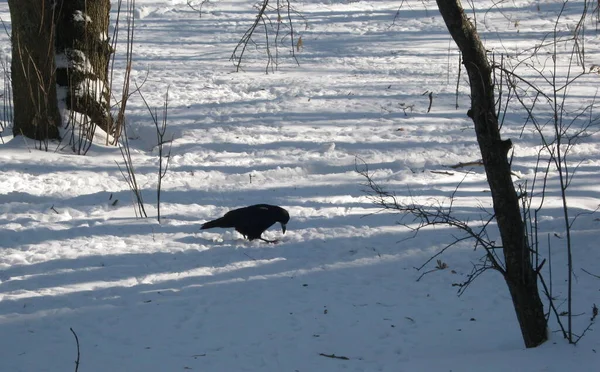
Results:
252 221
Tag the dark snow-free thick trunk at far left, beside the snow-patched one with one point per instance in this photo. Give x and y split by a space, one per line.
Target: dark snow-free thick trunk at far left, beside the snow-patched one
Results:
33 76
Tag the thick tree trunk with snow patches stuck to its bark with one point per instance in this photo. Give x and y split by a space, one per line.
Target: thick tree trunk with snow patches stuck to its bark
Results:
83 54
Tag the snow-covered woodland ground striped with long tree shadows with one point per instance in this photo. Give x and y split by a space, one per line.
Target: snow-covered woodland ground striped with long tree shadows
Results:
144 296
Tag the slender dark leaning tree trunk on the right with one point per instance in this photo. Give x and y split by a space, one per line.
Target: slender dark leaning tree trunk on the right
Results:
520 277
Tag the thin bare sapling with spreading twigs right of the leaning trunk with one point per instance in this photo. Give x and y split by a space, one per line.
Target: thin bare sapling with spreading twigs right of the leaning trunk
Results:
561 122
